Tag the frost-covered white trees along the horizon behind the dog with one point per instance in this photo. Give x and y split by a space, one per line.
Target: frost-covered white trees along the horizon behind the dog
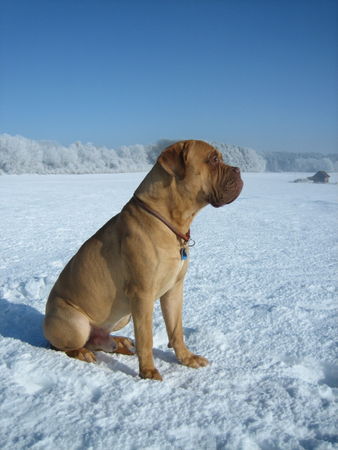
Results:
22 155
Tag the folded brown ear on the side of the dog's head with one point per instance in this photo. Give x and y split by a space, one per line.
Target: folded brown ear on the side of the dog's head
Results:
173 159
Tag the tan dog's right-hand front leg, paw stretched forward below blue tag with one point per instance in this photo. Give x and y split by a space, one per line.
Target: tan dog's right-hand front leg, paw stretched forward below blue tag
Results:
171 305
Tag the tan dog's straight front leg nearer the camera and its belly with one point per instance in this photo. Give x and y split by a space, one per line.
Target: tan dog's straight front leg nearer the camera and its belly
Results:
142 312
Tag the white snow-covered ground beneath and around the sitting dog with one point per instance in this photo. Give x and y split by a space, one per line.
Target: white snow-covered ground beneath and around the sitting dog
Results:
260 304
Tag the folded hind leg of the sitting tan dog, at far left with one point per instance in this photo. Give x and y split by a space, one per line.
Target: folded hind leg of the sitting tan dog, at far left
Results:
68 330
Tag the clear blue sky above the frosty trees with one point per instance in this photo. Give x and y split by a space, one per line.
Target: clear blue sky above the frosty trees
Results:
258 73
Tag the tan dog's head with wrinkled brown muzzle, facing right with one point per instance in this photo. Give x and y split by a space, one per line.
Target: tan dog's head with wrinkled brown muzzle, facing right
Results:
199 170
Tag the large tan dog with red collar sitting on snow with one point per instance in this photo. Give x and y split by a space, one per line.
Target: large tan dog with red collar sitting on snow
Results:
140 255
